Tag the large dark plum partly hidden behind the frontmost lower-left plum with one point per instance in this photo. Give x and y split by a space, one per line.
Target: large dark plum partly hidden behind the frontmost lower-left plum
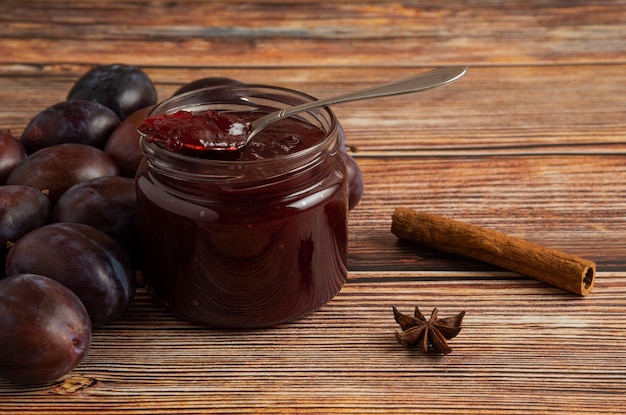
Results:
87 261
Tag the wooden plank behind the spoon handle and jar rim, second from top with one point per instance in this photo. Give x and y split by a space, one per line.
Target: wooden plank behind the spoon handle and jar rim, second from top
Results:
492 110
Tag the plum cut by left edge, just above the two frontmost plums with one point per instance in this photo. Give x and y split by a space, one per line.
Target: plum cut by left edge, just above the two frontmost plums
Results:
22 209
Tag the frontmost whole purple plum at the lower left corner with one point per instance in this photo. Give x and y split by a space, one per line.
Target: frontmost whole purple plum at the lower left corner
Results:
45 329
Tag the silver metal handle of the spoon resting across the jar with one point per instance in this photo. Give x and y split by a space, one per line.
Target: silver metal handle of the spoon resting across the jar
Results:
427 80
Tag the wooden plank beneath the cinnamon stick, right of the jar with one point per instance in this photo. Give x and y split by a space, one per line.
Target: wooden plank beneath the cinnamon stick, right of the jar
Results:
572 203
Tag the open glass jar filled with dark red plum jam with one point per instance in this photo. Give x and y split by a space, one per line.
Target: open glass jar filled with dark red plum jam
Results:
250 237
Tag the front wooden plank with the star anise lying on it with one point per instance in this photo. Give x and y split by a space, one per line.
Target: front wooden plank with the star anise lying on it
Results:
523 346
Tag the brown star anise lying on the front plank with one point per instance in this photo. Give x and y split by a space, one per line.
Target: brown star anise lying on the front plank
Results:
428 334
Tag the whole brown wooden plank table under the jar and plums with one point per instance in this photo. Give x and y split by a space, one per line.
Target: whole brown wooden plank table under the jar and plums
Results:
531 142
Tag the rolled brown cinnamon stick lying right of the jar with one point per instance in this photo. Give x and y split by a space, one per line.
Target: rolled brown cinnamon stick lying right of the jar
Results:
562 270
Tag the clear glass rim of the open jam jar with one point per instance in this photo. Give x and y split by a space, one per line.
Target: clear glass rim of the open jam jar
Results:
326 112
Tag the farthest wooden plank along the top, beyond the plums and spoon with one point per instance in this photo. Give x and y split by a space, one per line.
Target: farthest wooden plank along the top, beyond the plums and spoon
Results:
279 33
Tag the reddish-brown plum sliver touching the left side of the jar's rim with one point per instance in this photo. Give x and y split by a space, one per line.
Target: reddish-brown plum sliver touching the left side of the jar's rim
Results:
123 144
